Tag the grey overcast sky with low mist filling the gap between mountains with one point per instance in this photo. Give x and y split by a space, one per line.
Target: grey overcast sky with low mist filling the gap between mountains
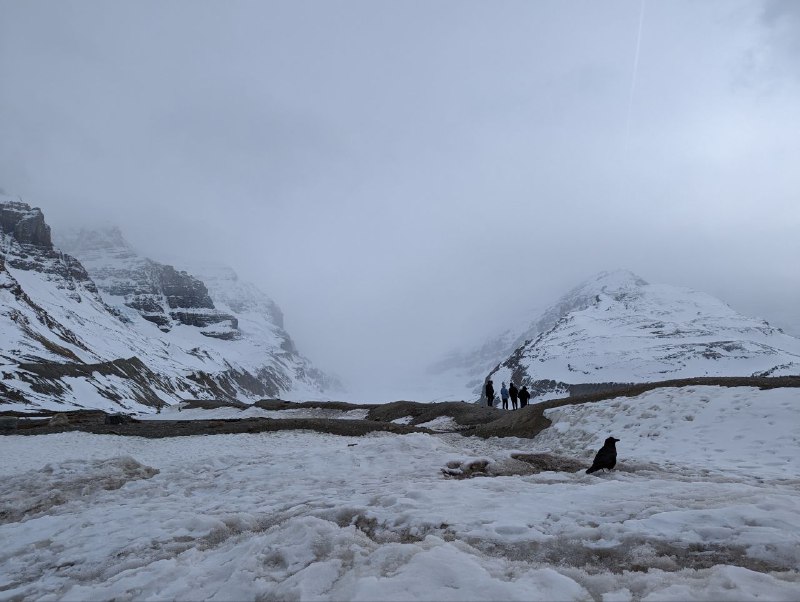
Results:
405 176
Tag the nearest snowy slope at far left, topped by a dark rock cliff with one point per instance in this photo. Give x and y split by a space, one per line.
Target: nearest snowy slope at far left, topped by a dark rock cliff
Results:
60 343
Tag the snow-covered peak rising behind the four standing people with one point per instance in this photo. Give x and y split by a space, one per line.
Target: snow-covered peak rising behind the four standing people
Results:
617 328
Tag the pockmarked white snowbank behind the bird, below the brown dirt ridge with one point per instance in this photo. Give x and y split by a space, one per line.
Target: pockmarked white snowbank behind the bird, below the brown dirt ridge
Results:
740 429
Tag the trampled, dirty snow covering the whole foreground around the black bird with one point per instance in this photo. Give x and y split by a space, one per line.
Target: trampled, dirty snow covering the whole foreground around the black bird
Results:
704 506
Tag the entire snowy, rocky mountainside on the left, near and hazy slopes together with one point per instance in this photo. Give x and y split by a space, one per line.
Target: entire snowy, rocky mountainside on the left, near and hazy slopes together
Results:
129 331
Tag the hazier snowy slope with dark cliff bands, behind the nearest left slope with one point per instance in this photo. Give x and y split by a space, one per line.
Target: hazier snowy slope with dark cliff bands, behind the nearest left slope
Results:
251 344
